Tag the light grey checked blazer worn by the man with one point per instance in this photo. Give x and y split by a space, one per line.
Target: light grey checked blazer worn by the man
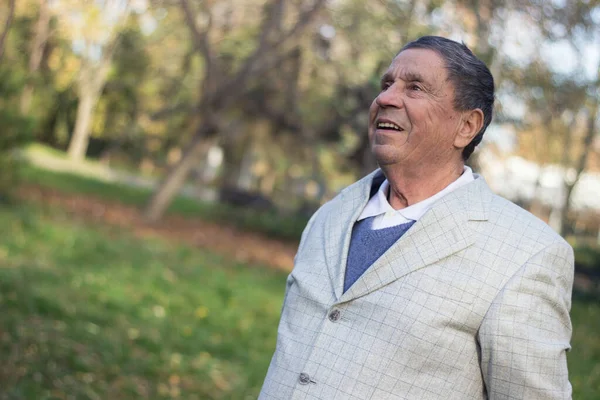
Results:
471 303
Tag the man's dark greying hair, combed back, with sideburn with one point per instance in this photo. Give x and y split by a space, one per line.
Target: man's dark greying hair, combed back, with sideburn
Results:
473 82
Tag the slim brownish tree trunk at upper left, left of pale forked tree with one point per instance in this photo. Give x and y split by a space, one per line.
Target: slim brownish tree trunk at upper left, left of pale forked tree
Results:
42 31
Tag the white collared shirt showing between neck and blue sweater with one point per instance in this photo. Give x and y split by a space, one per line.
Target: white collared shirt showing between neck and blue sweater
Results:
385 215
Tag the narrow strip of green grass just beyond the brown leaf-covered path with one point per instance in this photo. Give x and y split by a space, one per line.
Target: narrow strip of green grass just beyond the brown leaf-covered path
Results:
288 227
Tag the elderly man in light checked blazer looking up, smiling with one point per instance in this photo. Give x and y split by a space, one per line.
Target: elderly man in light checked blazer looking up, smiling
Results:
417 282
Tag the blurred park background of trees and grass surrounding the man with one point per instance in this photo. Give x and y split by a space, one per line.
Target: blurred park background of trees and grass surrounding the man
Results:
160 158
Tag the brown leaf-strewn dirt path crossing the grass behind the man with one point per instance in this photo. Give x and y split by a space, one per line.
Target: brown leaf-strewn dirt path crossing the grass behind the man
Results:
243 246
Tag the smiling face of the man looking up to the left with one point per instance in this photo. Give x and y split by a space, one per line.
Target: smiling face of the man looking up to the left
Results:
413 121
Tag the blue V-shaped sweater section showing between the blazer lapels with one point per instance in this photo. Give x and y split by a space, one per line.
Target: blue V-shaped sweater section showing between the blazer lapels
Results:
367 245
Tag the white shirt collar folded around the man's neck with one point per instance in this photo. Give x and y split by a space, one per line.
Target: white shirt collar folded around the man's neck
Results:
378 204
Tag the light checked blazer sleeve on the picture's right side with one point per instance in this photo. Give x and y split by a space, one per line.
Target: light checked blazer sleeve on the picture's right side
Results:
526 332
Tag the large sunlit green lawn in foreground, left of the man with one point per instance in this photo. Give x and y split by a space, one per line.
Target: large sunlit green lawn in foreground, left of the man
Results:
89 312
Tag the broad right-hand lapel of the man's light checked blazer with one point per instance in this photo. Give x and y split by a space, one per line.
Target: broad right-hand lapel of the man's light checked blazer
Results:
444 230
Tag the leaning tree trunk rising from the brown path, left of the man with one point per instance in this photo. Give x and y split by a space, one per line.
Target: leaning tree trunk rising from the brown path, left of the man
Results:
175 179
